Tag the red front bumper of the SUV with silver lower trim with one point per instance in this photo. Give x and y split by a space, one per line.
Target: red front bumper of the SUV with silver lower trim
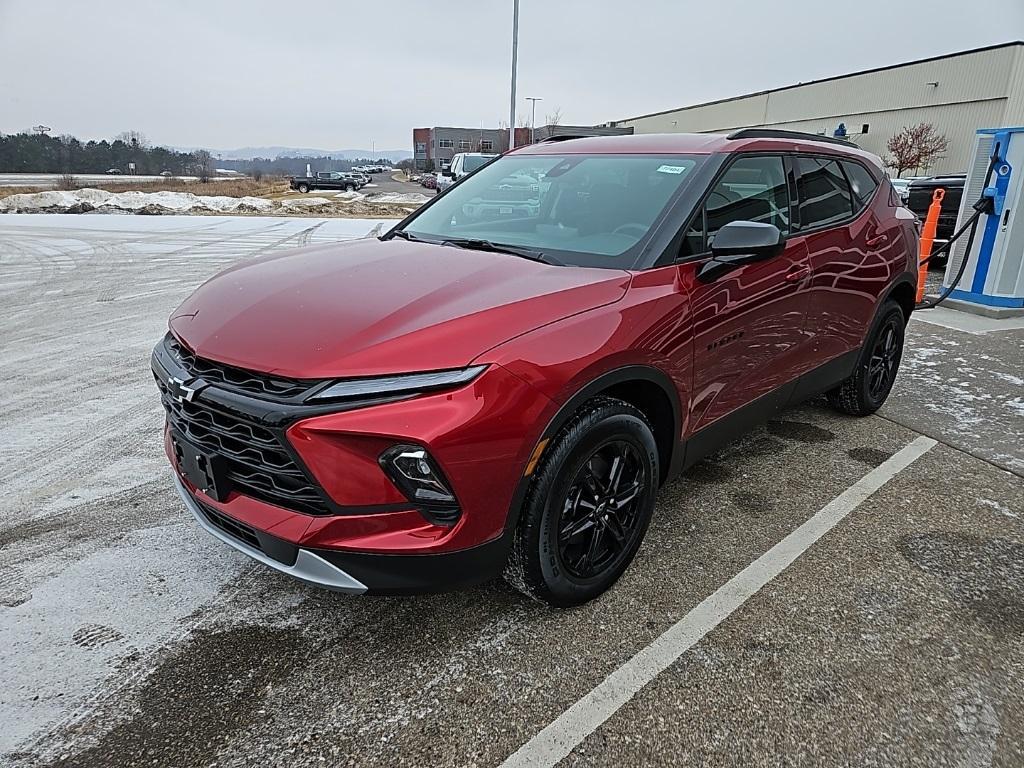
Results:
365 536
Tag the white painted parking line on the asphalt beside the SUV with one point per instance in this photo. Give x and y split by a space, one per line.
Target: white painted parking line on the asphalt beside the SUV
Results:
573 727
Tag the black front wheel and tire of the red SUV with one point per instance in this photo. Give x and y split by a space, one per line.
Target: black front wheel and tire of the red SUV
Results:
588 507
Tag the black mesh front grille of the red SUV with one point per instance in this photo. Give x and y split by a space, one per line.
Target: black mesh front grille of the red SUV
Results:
258 463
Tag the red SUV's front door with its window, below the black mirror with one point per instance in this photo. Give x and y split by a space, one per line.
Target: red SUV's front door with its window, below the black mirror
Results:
749 324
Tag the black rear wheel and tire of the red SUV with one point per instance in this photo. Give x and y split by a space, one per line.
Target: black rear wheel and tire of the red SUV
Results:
870 386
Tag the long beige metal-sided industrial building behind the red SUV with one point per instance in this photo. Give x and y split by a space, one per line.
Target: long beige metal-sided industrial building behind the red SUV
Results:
959 93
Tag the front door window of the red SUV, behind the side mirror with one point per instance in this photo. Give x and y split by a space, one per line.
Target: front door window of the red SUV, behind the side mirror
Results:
753 189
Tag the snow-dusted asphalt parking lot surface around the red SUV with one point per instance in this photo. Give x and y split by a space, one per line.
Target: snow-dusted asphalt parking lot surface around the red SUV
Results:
129 636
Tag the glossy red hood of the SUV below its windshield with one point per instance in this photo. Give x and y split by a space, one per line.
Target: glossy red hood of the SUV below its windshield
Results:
372 308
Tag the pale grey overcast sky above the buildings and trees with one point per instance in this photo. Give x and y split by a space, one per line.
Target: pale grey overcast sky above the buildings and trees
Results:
340 74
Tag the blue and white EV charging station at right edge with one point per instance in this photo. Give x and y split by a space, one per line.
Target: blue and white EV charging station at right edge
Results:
993 283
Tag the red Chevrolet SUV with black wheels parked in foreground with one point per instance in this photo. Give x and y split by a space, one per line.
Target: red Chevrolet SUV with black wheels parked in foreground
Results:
501 383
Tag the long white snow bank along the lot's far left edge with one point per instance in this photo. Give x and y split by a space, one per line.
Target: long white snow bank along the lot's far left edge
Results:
83 201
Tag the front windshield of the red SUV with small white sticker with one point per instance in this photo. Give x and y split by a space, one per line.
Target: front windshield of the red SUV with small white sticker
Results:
585 210
